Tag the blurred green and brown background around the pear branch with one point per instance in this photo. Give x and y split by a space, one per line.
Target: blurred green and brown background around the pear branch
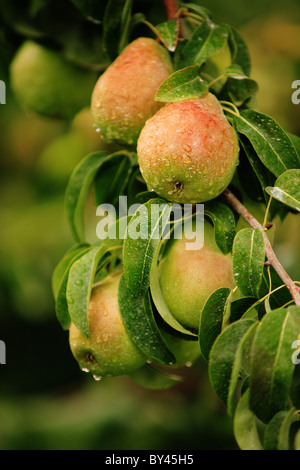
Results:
46 402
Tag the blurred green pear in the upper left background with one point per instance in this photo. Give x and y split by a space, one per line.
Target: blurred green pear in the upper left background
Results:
43 82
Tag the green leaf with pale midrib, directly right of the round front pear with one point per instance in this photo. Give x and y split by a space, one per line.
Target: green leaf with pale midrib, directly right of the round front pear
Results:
271 143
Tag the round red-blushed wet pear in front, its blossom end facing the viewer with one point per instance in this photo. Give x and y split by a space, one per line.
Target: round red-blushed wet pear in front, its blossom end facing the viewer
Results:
188 151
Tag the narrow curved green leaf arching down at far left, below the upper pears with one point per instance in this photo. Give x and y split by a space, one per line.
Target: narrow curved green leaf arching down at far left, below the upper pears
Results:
77 190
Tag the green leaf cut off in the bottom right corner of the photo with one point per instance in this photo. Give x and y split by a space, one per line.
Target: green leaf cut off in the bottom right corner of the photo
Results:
277 434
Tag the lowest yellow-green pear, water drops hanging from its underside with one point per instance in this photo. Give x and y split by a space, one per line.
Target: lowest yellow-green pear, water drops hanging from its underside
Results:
109 350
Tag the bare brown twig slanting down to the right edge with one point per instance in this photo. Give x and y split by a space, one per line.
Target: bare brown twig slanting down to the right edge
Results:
272 258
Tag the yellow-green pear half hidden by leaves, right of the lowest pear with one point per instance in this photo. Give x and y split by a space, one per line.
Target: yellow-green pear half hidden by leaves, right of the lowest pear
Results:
189 277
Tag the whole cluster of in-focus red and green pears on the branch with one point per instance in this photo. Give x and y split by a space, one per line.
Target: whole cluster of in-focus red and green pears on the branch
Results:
187 153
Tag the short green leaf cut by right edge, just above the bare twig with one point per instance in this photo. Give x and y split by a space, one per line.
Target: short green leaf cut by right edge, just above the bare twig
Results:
287 189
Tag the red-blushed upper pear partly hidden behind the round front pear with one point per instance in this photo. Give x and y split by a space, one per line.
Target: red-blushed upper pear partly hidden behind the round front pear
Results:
123 97
